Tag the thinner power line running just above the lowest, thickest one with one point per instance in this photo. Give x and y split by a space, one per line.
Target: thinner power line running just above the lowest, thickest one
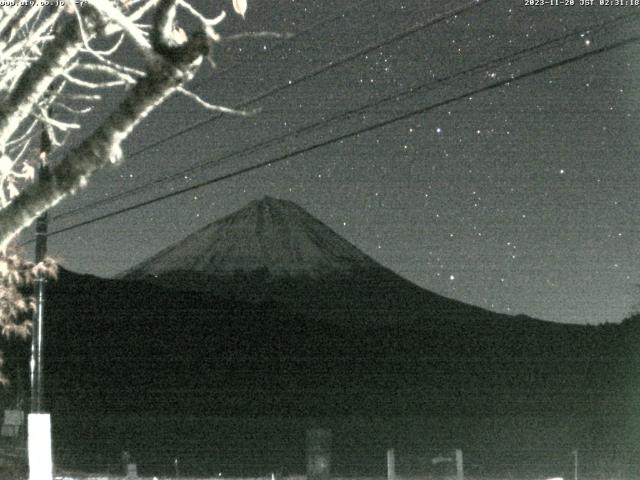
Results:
346 114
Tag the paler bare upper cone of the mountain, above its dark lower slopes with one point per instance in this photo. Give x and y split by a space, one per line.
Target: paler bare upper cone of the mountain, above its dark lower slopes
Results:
268 234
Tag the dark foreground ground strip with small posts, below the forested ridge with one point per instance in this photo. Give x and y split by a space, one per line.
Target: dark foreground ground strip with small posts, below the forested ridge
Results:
215 447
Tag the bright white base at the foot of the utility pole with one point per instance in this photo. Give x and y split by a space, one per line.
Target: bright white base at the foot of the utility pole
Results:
39 444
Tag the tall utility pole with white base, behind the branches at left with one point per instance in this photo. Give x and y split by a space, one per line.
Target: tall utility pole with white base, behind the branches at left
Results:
39 423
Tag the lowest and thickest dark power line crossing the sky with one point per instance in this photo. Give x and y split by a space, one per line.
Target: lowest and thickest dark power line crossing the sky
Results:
405 116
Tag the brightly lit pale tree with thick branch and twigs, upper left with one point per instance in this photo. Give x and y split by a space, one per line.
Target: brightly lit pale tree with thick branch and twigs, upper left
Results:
54 64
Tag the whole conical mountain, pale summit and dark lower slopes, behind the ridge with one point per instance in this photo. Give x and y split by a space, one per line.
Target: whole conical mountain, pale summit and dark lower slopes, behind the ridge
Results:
273 250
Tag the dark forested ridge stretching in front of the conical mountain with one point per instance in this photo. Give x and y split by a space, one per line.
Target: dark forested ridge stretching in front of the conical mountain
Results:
118 345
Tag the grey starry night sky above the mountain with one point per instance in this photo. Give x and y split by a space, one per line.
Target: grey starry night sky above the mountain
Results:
519 199
